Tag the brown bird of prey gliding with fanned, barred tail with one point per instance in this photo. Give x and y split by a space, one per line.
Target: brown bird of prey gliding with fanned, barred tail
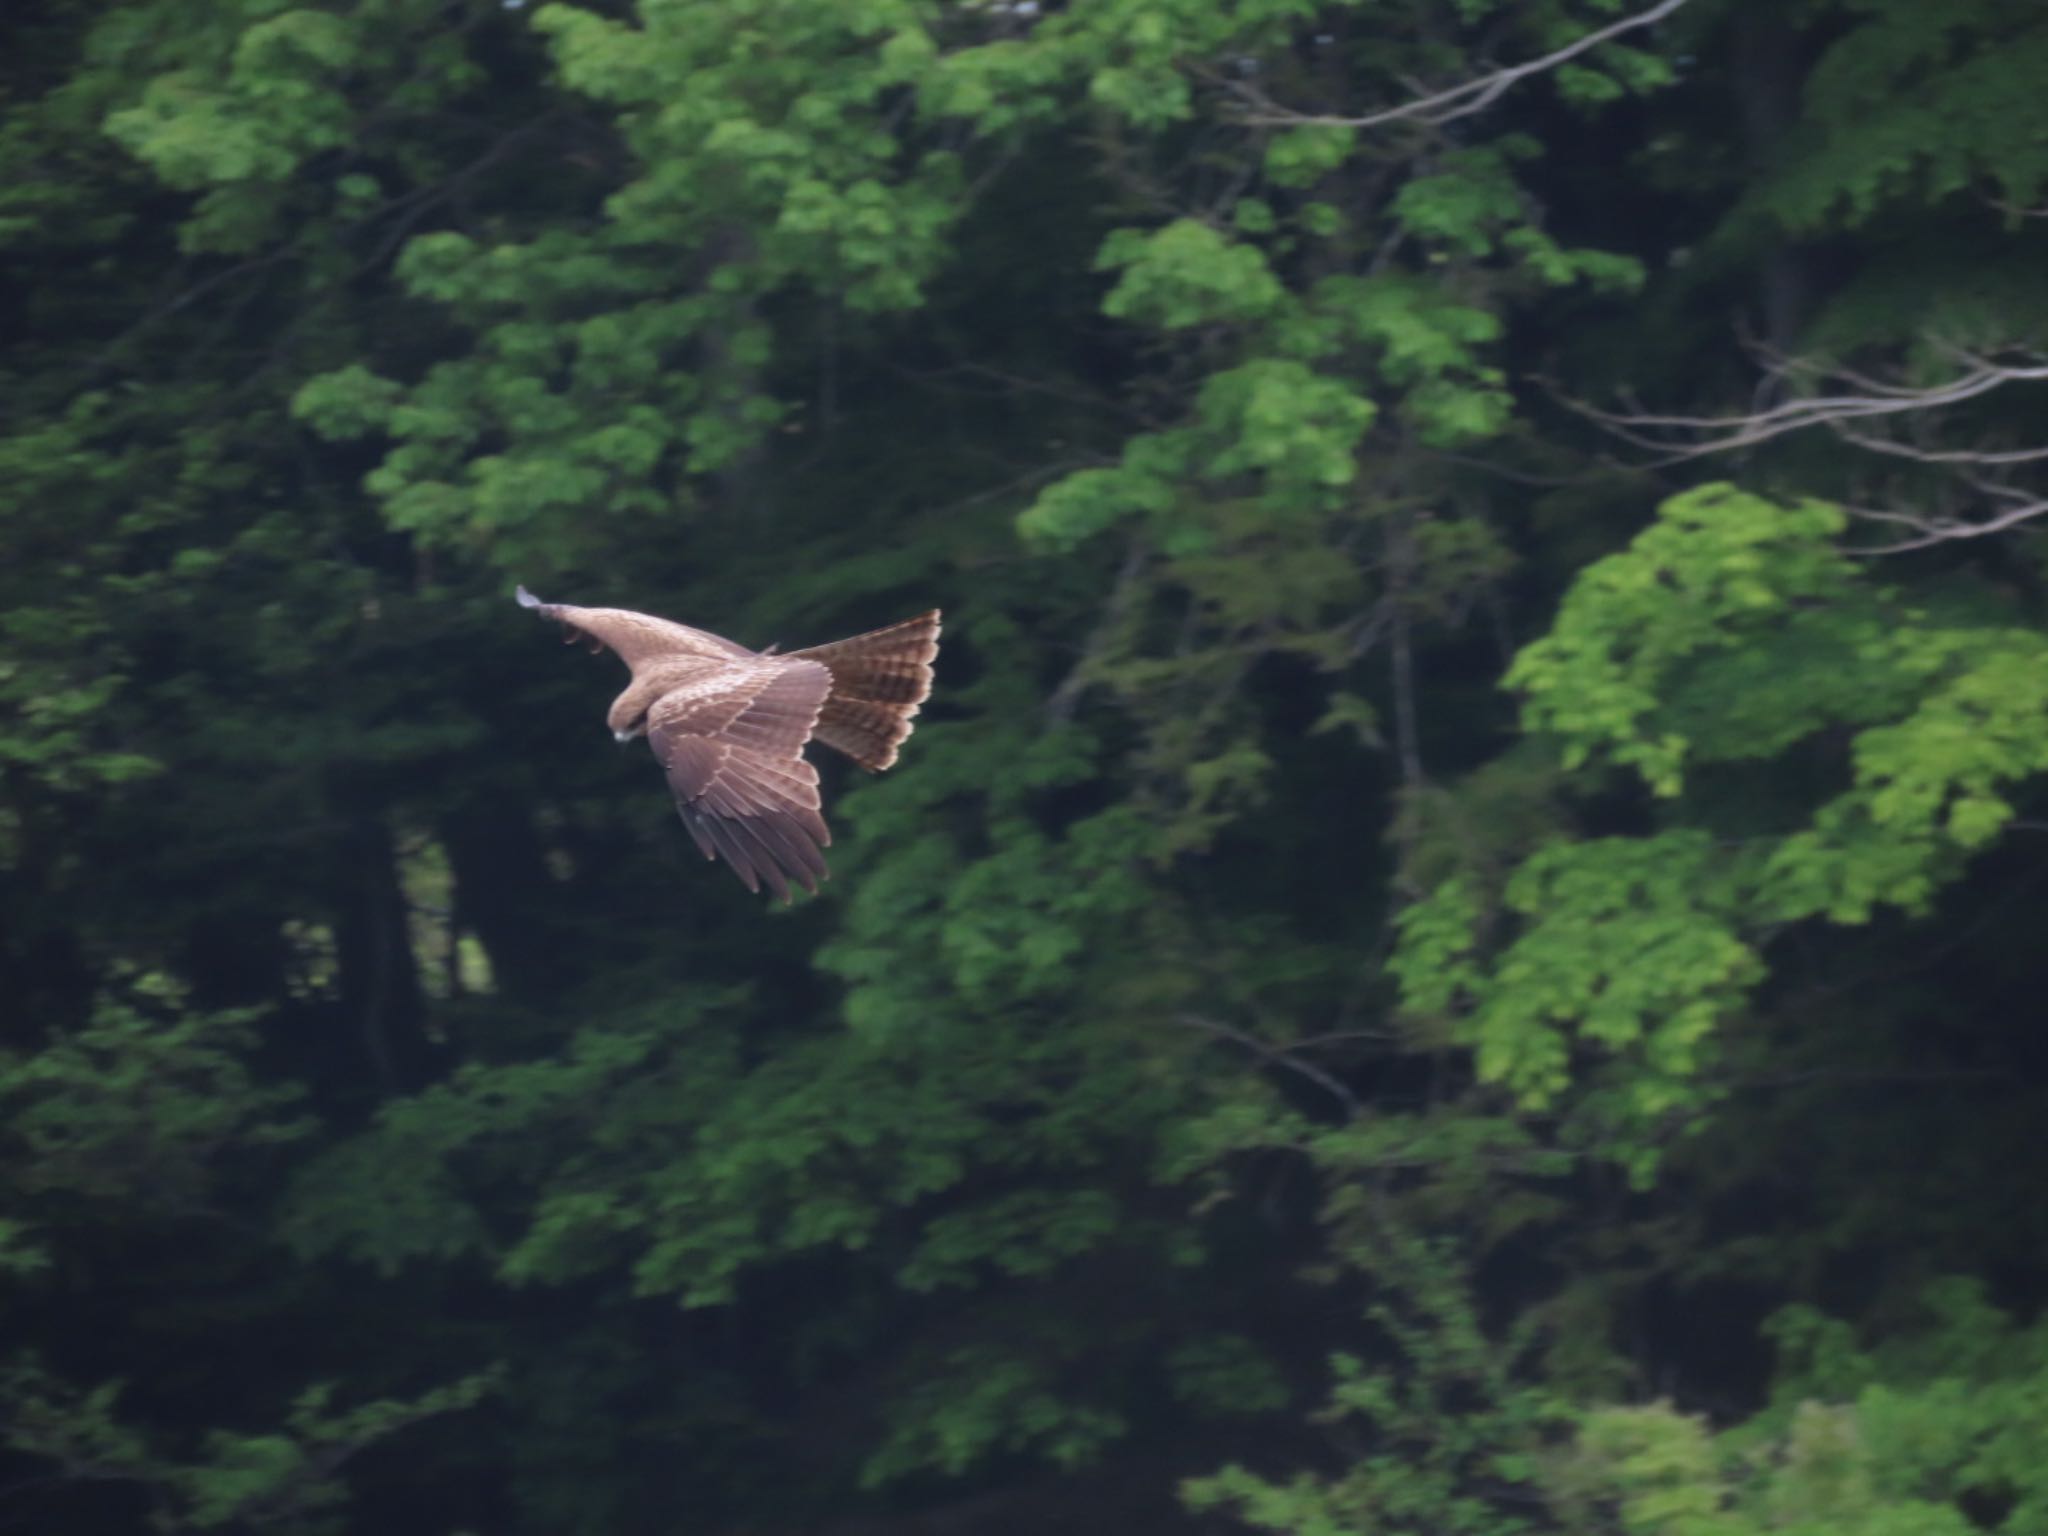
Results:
730 726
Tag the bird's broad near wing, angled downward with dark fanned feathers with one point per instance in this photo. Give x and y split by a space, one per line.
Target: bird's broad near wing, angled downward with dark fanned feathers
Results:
732 746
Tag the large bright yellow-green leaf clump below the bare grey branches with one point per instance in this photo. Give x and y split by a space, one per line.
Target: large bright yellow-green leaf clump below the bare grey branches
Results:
1727 632
